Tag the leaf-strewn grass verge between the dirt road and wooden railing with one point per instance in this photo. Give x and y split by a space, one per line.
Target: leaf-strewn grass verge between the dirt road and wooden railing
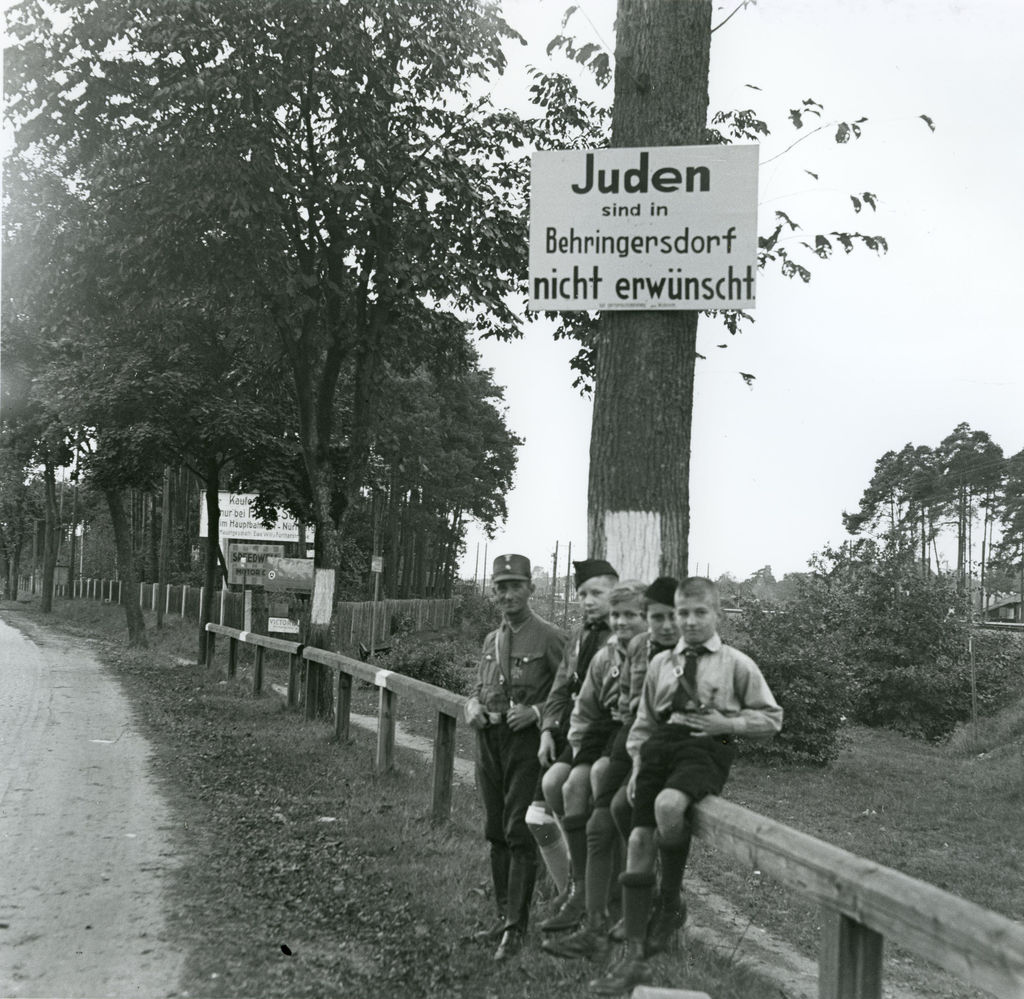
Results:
303 874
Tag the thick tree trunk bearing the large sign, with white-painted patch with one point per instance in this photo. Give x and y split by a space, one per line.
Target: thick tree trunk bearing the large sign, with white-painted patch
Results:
644 397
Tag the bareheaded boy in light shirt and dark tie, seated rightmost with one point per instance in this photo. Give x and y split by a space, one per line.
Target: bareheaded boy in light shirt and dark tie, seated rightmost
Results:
696 700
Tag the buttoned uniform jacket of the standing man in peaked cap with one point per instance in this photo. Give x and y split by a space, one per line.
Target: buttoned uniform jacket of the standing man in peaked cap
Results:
519 668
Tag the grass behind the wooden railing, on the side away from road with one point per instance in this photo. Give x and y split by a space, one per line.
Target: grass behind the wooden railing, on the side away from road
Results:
945 814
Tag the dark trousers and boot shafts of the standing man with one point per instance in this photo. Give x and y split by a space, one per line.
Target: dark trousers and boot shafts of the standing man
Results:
507 772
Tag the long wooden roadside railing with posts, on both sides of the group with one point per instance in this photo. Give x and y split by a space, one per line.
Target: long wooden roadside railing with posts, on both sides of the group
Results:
864 903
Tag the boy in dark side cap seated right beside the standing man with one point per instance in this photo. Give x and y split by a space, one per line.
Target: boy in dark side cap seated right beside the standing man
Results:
594 581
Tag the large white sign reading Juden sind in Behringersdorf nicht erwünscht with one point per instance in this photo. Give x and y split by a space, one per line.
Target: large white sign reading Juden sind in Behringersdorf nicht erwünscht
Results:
666 228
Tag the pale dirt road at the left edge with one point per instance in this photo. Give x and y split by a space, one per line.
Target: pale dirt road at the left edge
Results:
84 837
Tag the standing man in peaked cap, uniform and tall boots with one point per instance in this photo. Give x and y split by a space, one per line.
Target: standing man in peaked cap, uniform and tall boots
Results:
518 668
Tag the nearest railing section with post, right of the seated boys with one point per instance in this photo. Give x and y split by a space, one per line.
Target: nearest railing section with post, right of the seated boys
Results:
977 945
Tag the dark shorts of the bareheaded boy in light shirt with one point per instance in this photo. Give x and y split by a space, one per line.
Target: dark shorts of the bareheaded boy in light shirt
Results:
672 758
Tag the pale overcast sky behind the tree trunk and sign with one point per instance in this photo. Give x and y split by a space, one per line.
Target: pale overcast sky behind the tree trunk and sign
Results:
877 352
